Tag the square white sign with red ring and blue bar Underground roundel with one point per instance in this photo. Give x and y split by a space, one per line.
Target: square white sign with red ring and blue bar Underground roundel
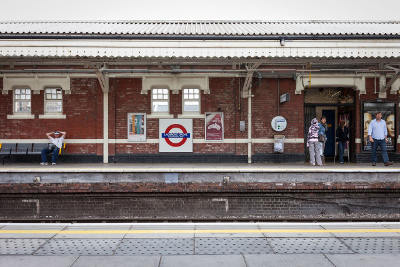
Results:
176 135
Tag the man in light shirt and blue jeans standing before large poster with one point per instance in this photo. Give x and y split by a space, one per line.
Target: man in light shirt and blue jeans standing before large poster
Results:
377 134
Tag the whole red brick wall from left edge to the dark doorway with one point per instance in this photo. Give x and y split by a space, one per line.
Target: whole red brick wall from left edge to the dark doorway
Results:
84 110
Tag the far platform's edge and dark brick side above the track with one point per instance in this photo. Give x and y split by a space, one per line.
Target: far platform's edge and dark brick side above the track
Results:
199 192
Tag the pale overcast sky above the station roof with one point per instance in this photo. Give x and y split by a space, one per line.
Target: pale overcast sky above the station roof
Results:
199 10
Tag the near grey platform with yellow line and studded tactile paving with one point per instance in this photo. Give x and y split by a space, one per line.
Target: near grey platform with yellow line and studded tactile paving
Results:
200 244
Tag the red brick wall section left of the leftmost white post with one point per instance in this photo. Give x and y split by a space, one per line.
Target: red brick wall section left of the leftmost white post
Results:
83 108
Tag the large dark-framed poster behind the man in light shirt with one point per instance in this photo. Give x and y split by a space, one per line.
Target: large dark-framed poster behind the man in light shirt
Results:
388 114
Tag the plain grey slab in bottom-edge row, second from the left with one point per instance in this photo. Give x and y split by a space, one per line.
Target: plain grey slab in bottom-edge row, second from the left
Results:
117 261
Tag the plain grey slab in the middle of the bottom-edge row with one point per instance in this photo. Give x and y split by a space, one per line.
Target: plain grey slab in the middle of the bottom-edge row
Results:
201 261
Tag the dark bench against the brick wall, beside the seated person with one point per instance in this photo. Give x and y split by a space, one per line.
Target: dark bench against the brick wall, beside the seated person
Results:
26 149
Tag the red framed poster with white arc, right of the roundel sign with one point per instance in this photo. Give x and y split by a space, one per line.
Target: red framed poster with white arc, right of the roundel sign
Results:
214 126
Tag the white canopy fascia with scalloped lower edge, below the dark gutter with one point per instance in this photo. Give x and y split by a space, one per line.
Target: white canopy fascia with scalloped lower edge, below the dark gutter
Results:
195 49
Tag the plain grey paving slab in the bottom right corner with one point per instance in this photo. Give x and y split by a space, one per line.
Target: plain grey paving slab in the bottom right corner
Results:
357 260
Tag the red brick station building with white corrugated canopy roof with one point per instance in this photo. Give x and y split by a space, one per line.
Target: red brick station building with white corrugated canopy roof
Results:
111 85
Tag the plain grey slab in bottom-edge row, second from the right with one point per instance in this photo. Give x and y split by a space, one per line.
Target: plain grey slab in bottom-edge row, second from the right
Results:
275 260
